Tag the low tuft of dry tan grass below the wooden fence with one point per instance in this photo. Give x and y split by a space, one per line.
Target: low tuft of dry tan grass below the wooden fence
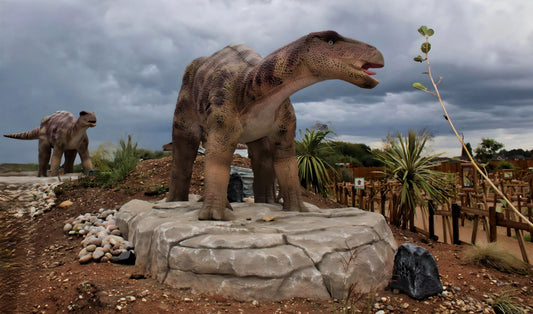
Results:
491 255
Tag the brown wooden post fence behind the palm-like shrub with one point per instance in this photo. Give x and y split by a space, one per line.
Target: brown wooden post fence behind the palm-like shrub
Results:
480 205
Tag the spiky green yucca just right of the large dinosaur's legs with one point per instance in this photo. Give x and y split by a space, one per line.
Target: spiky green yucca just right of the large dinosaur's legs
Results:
312 170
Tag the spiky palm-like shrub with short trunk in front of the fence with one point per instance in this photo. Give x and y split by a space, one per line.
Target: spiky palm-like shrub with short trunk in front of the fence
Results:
405 162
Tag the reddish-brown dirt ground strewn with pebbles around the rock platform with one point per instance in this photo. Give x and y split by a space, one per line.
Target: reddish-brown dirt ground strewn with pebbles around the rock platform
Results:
40 272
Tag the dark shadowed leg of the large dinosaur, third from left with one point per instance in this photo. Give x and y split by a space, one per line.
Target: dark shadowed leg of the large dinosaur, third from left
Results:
261 155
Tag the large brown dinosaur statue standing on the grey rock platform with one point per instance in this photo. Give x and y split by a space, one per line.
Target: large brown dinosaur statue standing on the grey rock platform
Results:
236 96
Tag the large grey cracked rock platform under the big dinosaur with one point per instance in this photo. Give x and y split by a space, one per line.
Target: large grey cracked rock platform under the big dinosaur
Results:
316 255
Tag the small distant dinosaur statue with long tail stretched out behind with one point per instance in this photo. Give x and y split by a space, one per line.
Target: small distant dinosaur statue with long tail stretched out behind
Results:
65 134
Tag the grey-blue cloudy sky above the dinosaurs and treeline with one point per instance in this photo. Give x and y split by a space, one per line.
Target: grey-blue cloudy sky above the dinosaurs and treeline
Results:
124 60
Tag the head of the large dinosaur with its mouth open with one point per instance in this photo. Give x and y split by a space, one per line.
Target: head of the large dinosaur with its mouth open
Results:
332 56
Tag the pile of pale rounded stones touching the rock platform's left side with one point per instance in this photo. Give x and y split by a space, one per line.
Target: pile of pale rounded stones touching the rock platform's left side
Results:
102 238
